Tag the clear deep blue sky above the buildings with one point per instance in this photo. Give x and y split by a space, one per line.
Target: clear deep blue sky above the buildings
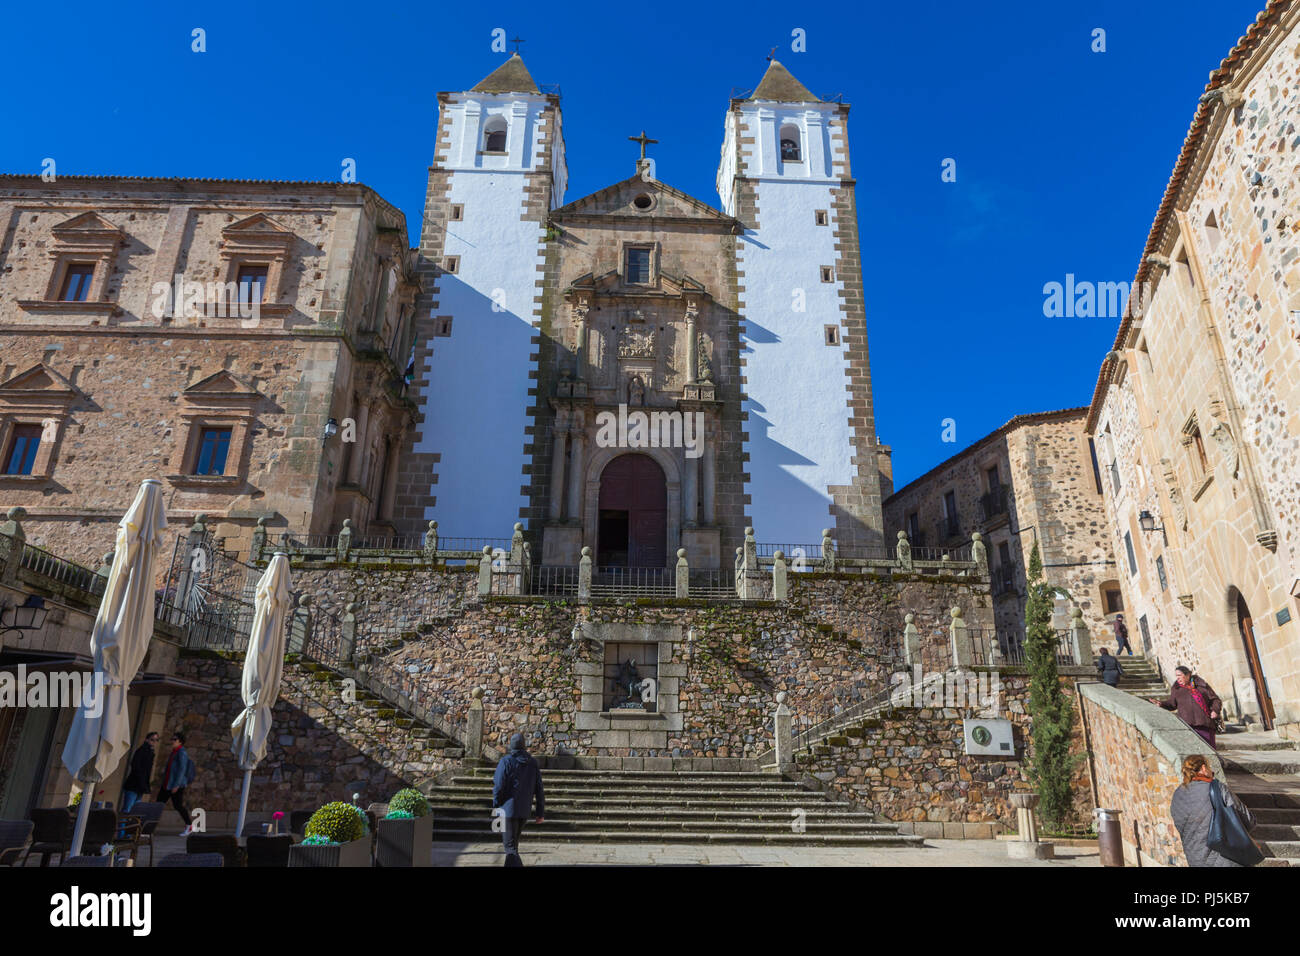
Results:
1063 154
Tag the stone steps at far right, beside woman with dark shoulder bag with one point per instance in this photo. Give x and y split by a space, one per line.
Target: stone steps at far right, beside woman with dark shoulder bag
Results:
1264 771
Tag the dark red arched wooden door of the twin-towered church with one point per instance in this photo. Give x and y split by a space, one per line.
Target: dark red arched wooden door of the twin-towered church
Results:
634 514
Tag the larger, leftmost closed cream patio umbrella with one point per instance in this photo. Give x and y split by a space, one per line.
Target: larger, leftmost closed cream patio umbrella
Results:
101 734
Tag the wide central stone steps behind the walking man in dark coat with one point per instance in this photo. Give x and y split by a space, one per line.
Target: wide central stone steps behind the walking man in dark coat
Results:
666 807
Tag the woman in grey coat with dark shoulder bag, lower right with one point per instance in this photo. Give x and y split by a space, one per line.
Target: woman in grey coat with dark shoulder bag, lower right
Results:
1214 823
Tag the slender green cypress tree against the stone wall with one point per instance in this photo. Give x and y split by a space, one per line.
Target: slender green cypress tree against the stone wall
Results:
1051 764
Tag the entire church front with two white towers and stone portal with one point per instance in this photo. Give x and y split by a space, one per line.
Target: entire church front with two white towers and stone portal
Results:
638 371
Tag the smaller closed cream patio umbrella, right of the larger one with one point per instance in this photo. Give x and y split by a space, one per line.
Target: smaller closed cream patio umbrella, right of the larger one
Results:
263 667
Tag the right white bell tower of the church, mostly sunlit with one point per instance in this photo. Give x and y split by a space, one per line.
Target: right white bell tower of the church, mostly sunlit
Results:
811 439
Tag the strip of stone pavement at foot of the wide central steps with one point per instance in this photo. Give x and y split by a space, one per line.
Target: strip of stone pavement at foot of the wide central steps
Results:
935 854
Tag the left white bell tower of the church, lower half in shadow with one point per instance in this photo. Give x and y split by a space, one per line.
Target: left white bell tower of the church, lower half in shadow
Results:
499 170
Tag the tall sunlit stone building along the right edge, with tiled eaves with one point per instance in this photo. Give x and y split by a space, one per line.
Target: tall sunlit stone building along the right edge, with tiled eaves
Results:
1197 413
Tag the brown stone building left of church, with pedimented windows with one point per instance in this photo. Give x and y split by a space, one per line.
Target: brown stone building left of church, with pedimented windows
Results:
206 334
